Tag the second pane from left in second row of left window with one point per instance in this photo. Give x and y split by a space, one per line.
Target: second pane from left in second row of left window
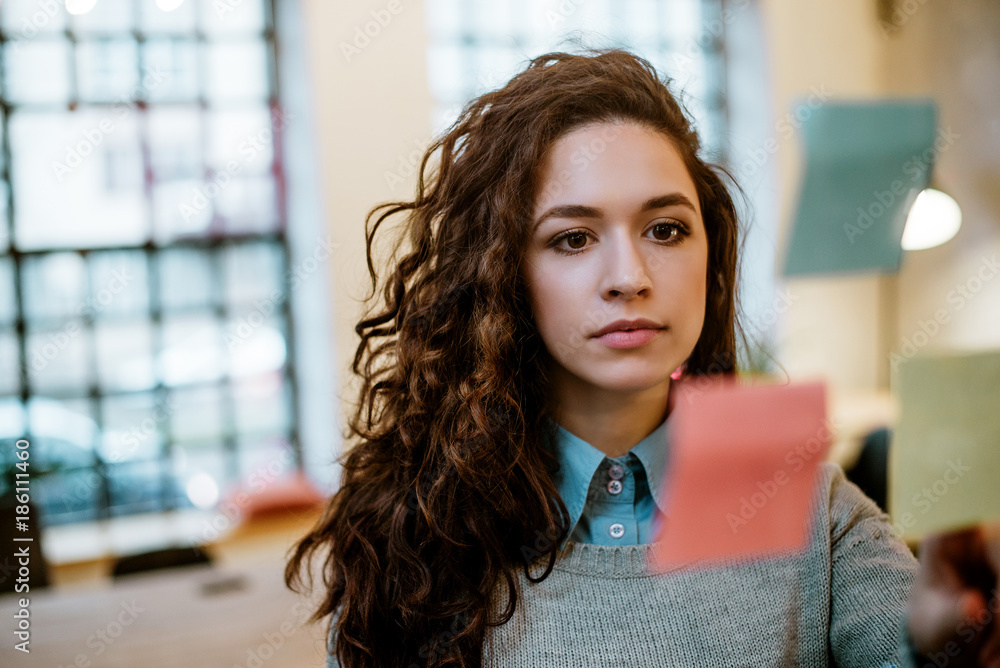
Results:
107 71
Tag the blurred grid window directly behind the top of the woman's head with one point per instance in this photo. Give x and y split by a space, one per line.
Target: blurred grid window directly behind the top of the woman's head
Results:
477 45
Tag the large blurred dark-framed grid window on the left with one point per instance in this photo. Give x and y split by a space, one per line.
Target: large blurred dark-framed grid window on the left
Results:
144 269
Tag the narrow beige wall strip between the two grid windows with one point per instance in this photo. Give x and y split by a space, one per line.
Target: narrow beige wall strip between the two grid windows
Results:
372 109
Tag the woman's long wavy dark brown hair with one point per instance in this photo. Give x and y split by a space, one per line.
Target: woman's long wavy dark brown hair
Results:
448 491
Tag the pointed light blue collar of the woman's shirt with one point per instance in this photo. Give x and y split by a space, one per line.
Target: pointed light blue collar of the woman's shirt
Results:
579 460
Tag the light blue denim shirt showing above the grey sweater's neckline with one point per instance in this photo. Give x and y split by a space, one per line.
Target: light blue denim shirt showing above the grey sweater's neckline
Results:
612 500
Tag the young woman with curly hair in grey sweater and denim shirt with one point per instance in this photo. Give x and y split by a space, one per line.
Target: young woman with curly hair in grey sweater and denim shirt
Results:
568 254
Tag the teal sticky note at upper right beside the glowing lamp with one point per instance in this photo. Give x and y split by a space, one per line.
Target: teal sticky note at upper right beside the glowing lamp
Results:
865 164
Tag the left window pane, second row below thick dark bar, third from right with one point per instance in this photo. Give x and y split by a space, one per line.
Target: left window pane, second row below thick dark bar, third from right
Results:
124 355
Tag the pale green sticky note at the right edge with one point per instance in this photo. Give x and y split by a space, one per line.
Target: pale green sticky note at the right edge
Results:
944 461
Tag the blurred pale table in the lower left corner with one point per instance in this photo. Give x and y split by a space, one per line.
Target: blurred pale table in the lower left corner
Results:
200 616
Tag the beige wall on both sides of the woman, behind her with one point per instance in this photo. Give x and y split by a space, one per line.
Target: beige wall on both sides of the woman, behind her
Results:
374 110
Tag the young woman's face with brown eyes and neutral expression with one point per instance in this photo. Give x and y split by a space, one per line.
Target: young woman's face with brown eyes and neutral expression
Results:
618 234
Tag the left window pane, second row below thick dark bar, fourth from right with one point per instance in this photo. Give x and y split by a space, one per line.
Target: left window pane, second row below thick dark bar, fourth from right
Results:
58 359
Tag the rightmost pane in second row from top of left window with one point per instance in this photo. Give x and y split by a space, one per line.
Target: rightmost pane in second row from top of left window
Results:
236 71
